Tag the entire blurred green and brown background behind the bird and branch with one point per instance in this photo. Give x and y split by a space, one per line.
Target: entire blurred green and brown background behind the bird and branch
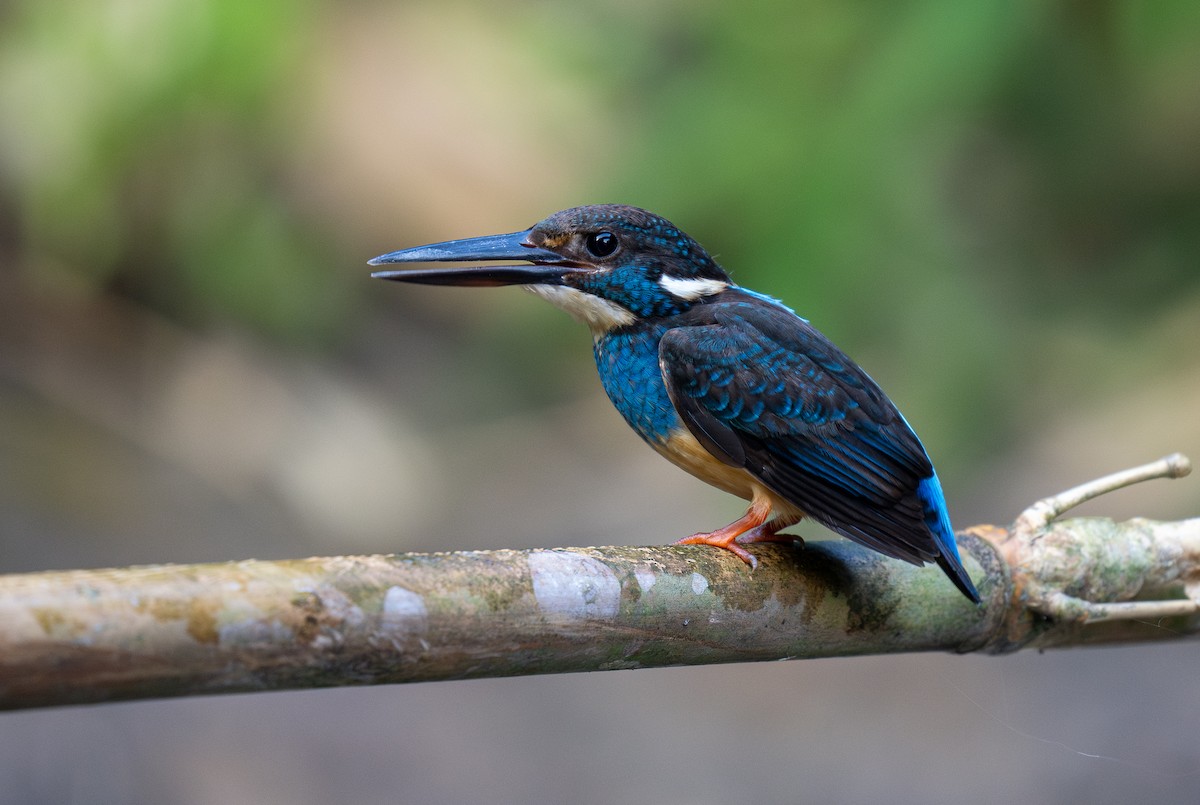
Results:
994 206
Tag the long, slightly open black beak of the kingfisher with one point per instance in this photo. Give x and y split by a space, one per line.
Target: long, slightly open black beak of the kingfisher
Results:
549 267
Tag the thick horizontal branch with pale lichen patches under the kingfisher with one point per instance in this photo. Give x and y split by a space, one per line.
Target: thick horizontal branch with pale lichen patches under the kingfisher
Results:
184 630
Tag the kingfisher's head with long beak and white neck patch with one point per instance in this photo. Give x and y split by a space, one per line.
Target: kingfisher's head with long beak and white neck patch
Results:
608 265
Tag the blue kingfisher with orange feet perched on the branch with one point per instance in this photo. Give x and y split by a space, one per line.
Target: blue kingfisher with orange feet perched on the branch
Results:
727 383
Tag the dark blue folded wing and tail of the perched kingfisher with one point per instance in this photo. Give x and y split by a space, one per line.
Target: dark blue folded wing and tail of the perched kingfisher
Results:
763 389
